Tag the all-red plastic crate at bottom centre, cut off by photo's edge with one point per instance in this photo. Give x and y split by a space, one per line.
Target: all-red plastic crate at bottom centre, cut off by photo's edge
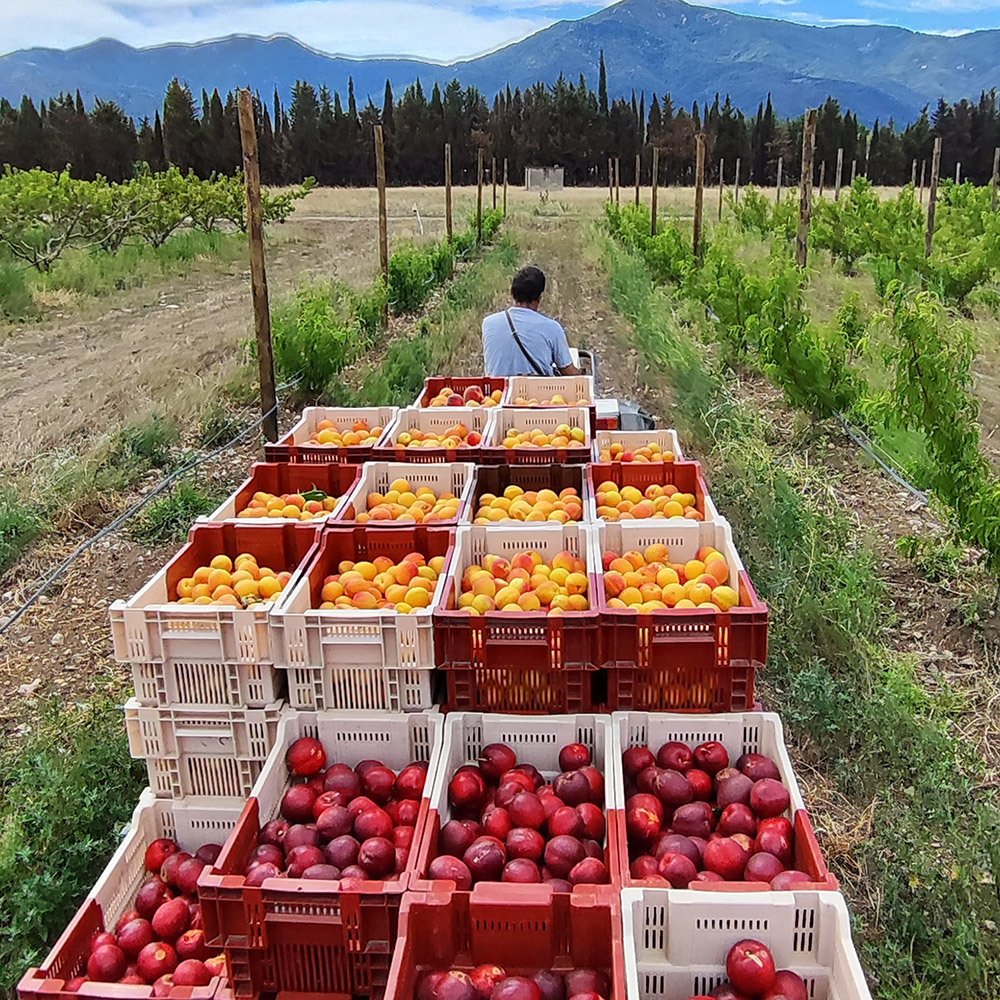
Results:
522 930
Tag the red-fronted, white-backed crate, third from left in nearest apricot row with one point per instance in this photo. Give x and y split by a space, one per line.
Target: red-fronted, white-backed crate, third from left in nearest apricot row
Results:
519 661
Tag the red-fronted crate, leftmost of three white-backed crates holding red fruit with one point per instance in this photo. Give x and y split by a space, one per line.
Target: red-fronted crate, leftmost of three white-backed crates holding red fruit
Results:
304 936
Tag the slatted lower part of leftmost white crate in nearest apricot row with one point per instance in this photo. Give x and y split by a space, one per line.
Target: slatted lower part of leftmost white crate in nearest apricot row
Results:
181 683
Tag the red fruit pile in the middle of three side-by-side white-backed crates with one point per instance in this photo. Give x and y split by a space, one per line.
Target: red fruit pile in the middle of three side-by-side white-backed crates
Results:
509 825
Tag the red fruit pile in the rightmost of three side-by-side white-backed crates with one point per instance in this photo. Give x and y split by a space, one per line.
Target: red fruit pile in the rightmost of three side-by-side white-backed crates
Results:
690 817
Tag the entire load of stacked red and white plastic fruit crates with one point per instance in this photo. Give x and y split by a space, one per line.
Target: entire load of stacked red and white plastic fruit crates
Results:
222 692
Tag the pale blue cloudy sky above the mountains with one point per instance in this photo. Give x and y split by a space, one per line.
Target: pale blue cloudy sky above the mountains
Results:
433 29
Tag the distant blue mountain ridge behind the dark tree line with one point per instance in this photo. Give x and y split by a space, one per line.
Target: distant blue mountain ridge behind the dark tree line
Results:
649 45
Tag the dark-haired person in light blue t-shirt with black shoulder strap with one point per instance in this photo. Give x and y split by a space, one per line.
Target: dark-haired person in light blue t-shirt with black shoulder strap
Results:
520 340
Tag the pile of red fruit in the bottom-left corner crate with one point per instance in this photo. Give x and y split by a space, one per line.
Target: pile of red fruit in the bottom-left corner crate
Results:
160 942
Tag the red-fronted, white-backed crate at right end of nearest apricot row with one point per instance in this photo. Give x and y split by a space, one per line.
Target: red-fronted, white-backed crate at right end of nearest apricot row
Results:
681 659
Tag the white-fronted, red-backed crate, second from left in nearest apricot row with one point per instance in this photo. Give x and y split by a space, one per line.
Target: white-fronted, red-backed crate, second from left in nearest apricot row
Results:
378 659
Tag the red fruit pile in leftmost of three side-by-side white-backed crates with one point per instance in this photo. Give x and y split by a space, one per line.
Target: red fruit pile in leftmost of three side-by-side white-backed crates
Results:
340 823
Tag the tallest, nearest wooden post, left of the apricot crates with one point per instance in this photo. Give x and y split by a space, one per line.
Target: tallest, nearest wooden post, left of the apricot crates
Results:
258 272
